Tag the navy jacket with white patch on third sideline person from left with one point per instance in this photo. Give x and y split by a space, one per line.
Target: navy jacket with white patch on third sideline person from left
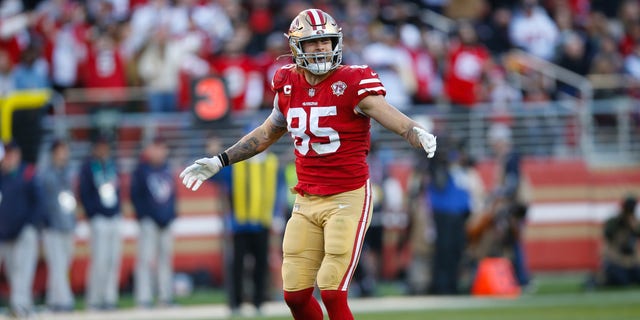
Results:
99 188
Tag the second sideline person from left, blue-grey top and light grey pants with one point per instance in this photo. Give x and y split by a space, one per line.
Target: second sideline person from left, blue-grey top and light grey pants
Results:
58 236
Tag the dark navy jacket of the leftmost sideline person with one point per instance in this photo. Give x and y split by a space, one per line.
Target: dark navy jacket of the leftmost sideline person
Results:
20 202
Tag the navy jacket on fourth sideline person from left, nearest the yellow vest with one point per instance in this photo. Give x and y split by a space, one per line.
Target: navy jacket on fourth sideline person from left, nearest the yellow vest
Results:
153 193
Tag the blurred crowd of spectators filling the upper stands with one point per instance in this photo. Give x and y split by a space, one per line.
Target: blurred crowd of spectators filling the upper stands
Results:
161 44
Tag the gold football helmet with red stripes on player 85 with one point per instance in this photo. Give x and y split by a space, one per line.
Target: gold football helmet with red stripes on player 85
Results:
313 24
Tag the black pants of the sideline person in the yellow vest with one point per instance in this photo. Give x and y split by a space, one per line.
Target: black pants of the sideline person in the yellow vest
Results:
256 245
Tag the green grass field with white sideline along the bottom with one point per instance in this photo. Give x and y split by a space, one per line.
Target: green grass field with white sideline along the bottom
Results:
555 297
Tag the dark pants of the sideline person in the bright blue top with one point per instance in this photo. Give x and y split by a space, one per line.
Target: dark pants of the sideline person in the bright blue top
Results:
449 246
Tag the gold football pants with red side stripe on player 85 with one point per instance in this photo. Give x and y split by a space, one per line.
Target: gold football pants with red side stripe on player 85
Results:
323 239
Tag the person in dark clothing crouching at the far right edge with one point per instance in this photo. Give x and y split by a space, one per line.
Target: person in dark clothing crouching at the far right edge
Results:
621 258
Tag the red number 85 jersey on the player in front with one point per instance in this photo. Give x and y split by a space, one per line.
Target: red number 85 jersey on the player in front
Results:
330 135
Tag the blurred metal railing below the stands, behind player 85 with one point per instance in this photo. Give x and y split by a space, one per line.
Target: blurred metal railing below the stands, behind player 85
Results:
553 129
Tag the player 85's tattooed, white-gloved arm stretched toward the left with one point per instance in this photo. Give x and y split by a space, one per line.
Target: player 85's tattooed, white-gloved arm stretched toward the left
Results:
251 144
